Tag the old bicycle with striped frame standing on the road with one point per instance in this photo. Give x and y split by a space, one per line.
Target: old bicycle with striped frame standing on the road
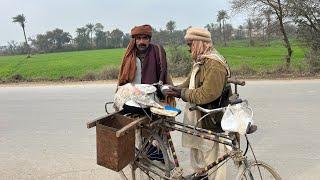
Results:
156 129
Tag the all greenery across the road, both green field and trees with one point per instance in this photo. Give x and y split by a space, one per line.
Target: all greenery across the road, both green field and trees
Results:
278 39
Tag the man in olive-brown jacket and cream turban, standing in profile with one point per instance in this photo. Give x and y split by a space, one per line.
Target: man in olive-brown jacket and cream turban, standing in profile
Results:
204 86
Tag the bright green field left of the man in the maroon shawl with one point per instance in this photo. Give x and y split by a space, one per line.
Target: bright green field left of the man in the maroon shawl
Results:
56 65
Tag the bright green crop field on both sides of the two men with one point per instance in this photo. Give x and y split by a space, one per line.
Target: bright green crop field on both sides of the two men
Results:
53 66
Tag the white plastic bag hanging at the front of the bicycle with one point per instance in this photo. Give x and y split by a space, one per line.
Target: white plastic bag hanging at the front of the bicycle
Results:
237 118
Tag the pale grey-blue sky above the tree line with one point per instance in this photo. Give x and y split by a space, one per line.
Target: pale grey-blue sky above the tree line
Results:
44 15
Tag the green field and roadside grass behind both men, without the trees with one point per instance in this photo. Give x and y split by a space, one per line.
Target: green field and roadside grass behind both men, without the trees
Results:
101 64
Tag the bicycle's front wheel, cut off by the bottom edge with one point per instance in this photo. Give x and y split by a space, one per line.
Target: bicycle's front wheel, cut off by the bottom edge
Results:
257 170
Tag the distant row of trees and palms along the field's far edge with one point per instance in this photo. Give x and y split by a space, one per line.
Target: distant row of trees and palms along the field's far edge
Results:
93 36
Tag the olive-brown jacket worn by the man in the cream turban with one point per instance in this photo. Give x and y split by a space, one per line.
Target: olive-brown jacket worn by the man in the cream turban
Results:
209 83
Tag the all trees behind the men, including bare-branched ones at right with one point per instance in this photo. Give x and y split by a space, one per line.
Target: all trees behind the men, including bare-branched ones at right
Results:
269 19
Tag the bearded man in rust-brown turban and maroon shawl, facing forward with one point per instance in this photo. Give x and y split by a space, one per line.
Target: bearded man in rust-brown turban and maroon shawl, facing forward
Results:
143 62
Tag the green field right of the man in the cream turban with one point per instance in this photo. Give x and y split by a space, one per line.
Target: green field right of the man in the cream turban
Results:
261 57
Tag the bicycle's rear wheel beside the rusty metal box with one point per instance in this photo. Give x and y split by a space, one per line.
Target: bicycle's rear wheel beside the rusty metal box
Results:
154 169
